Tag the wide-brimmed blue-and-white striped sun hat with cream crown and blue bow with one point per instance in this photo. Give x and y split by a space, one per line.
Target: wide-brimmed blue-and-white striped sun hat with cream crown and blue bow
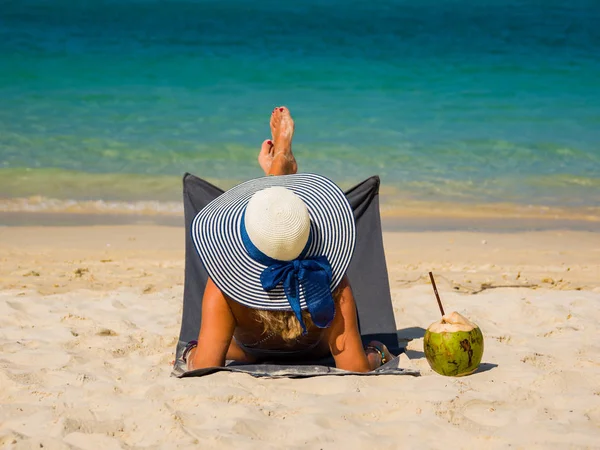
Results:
278 243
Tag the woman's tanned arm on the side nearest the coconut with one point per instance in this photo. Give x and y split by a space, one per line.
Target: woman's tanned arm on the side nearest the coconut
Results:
344 338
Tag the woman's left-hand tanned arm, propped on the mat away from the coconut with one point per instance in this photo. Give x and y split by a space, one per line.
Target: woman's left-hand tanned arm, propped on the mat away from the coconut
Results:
216 330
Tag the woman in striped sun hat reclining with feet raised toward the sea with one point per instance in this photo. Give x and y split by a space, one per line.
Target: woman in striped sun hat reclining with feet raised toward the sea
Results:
276 250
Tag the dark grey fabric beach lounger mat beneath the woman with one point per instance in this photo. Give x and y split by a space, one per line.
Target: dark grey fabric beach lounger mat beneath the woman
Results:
367 274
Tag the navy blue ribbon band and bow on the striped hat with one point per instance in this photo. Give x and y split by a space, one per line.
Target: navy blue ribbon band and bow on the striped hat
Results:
312 274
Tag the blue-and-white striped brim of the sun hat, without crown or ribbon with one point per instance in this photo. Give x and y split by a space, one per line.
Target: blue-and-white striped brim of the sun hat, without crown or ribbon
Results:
216 235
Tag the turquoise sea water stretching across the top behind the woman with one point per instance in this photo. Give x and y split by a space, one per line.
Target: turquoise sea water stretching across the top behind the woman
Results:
447 100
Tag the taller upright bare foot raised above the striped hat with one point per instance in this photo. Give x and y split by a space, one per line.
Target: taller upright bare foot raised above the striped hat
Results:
282 130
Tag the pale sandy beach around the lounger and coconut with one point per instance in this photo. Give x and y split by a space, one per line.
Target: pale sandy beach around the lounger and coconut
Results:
89 319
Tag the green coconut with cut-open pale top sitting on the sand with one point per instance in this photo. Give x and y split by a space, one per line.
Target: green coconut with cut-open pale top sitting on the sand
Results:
453 346
